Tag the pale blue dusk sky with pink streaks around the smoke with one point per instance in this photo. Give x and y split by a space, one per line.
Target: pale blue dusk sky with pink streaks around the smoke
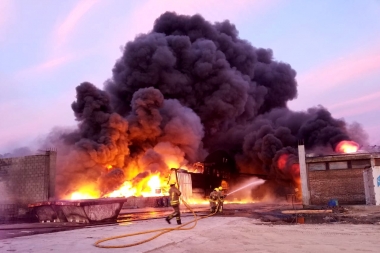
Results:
49 47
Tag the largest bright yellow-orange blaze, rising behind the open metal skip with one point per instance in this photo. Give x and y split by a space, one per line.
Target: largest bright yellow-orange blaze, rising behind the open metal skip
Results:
153 184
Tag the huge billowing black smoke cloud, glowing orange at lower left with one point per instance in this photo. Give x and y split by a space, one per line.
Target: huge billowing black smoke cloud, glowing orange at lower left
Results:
187 88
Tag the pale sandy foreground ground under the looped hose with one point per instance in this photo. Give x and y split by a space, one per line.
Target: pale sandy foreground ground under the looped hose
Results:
214 234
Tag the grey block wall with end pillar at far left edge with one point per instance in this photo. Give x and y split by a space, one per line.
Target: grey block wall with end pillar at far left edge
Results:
28 179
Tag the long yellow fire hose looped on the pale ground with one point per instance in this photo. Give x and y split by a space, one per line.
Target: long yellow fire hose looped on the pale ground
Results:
161 232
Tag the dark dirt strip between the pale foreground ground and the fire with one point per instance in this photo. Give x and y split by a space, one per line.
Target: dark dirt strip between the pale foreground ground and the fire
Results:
267 213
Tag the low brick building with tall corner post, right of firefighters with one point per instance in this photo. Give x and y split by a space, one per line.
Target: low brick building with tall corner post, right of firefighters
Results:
351 179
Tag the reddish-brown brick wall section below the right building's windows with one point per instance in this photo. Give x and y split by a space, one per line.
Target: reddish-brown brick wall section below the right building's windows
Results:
345 185
